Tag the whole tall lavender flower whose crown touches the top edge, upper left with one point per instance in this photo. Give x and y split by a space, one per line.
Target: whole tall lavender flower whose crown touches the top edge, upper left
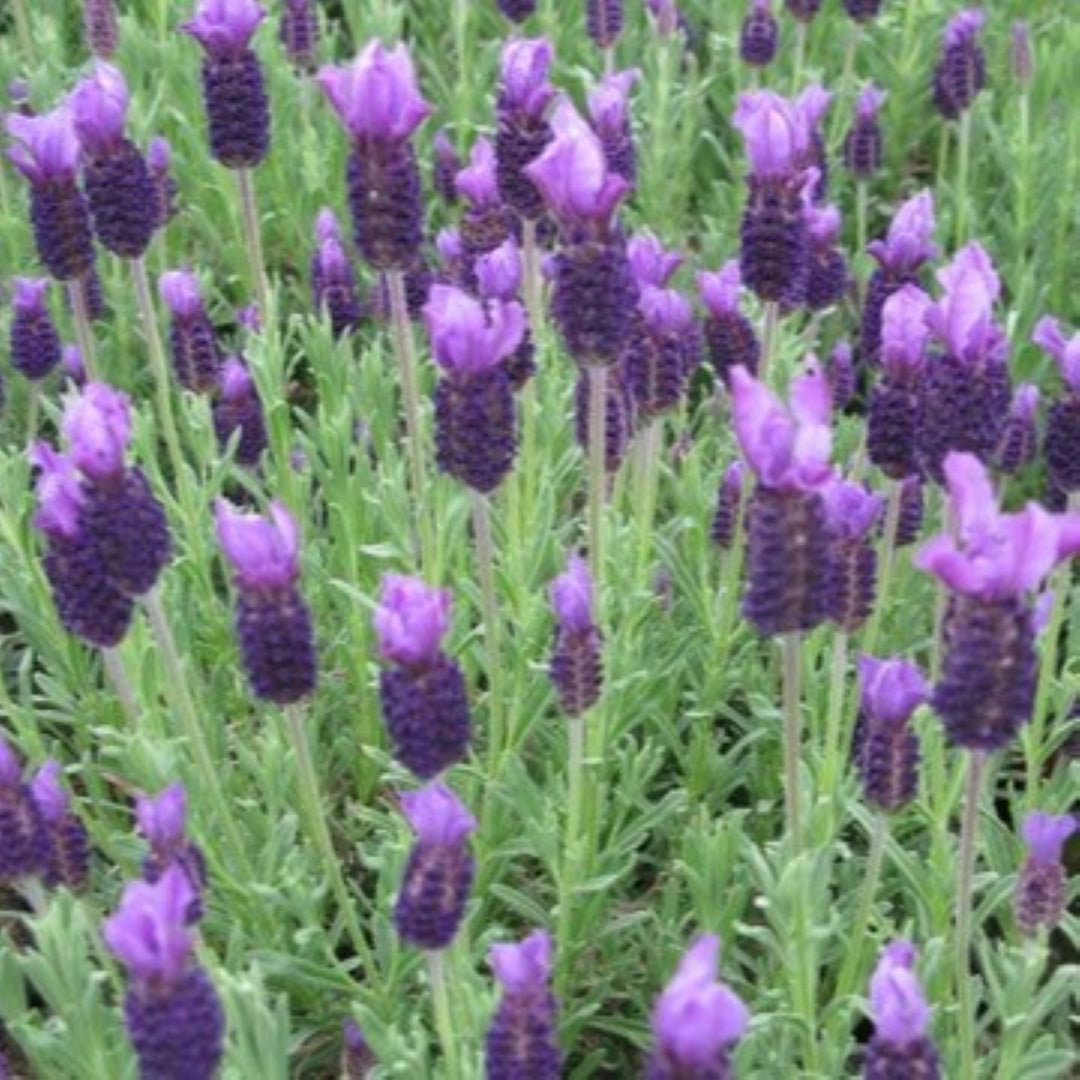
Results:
235 96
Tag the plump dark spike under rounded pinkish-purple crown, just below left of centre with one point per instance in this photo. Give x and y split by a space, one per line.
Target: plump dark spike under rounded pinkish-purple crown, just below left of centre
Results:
427 715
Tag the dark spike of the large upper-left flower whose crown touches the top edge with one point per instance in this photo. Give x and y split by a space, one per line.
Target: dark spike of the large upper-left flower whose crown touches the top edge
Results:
238 110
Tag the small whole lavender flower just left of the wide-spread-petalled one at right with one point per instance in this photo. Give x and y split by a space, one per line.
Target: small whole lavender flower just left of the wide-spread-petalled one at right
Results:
885 749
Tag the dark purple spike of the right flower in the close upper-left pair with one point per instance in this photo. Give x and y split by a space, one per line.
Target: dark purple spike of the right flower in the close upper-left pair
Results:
123 199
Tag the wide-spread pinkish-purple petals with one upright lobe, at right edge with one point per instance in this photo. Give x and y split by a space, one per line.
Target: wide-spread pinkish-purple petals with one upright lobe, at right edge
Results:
995 556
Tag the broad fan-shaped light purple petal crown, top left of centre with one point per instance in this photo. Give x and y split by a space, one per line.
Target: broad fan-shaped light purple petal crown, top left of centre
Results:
376 96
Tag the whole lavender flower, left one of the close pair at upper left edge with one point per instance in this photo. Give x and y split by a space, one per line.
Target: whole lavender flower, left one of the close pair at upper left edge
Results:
47 154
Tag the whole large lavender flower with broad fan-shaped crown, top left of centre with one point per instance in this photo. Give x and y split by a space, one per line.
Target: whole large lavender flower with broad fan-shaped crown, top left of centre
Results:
377 101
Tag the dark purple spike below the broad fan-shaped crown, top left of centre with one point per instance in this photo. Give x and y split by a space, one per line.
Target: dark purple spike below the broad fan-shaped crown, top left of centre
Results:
384 187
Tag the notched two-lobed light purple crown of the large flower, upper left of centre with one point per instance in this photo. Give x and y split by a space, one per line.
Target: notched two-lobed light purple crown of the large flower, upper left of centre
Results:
467 336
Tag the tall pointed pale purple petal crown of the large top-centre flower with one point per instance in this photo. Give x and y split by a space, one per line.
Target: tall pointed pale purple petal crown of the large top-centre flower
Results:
573 173
